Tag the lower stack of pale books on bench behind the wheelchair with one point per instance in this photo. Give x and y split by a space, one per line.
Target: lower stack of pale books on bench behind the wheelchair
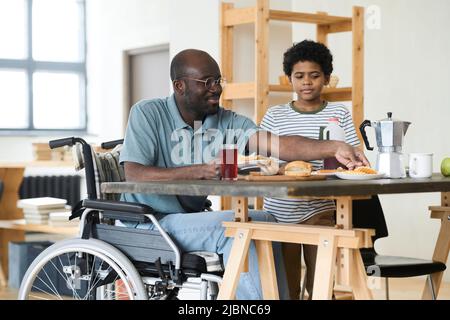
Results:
38 210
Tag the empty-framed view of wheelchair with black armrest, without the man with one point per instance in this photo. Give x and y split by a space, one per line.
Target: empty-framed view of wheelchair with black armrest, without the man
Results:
107 261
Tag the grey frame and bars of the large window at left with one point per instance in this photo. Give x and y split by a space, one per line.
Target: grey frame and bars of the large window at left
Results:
30 66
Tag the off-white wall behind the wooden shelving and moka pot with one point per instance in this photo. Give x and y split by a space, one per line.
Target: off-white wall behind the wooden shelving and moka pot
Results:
406 72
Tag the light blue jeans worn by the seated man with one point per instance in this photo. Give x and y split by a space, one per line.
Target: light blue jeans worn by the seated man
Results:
203 231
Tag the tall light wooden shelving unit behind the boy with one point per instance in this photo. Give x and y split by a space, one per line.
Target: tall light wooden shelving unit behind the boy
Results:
260 15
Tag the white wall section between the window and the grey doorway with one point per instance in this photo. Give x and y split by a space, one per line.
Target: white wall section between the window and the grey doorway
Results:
115 26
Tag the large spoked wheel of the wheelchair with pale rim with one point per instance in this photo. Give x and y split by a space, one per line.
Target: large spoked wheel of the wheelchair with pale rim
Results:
78 269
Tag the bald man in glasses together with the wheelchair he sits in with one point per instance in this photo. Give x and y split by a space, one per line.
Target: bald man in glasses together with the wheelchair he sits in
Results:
168 239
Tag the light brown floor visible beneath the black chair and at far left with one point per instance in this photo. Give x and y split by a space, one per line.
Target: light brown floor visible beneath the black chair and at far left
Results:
400 289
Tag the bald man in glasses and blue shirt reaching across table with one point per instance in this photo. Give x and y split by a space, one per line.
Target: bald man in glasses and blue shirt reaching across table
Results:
176 138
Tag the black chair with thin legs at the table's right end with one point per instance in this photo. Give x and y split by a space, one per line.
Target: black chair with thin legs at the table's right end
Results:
368 214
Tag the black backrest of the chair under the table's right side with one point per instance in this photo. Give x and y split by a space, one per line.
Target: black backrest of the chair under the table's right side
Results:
368 214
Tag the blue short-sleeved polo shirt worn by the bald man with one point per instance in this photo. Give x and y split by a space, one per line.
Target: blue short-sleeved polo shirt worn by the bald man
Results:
158 136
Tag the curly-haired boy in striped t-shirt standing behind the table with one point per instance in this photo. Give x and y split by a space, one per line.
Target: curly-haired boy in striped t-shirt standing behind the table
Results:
308 65
